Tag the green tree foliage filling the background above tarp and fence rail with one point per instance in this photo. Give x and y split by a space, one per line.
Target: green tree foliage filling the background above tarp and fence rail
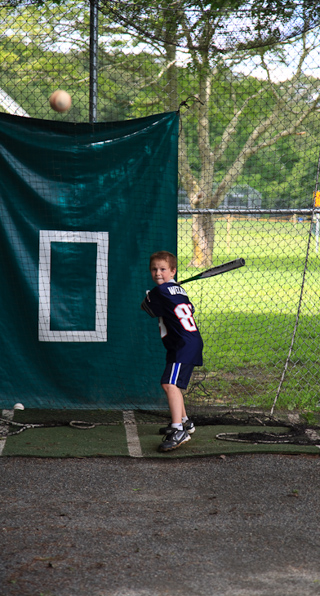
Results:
45 46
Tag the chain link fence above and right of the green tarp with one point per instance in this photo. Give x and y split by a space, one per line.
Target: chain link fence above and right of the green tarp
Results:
247 84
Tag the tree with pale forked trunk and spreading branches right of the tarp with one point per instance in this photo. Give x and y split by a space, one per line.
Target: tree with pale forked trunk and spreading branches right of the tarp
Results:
204 31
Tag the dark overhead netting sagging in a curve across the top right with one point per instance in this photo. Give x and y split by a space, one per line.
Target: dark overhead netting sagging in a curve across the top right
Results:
215 26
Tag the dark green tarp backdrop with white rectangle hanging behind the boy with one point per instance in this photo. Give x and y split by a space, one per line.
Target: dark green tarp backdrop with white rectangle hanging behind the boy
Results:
82 208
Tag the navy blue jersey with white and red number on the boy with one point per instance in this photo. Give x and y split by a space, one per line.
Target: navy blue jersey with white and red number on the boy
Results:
178 329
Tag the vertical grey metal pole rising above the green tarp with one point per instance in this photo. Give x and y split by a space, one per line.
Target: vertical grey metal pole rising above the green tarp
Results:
93 97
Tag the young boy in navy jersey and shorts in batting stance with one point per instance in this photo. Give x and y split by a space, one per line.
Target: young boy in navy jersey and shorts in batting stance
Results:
181 339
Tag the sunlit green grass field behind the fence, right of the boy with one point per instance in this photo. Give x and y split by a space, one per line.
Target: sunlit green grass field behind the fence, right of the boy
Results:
247 317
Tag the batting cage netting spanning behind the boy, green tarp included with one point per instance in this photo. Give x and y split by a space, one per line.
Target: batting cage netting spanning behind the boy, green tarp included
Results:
194 127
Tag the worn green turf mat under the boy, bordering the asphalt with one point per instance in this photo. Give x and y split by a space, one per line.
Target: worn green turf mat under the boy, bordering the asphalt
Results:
107 436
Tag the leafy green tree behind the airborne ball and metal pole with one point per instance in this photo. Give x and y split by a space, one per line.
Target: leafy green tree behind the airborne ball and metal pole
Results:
44 46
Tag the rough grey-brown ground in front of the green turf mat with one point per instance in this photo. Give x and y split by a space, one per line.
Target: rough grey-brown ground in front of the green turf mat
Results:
220 526
